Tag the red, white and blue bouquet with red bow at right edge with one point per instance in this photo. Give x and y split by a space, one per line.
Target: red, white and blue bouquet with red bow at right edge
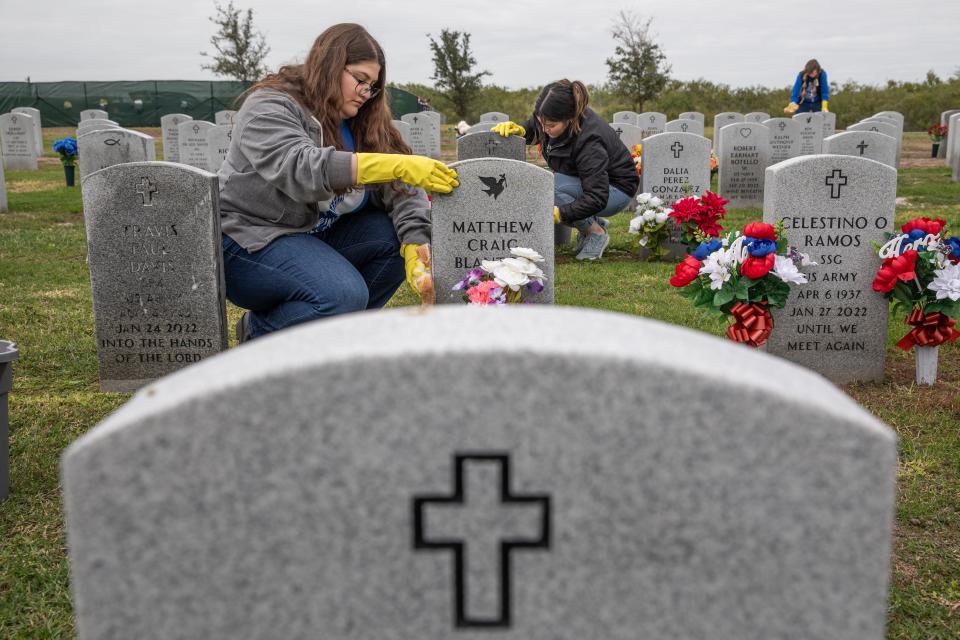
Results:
921 275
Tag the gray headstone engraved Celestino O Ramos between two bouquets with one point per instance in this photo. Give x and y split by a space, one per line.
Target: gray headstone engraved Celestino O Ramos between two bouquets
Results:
834 208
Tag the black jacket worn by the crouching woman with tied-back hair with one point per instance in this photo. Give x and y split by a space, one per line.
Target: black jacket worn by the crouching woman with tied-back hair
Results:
595 155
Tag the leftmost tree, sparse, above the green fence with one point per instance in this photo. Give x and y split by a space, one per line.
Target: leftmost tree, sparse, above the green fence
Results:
240 49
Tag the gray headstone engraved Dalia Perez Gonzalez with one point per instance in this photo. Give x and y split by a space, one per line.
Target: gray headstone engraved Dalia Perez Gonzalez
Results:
676 165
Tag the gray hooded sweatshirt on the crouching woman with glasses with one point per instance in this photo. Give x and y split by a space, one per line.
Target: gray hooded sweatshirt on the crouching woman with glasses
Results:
278 177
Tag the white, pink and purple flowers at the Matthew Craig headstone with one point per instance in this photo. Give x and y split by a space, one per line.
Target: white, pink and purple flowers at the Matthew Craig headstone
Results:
503 281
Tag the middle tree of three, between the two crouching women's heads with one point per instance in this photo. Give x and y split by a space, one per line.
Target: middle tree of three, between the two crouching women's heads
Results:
453 73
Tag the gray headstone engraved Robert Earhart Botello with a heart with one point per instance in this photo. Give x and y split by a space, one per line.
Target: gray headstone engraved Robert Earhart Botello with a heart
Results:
744 156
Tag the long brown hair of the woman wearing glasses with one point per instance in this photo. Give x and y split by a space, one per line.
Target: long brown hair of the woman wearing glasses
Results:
315 84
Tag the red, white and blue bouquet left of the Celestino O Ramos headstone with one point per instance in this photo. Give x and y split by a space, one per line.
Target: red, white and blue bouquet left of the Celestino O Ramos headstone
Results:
743 277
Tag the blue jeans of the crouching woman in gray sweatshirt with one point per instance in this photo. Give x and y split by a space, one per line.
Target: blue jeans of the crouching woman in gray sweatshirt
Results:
352 266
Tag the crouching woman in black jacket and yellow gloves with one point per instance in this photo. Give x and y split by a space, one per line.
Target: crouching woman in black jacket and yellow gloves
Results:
594 174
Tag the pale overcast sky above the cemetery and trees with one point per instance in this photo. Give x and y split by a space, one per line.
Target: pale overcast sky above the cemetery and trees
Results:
523 43
